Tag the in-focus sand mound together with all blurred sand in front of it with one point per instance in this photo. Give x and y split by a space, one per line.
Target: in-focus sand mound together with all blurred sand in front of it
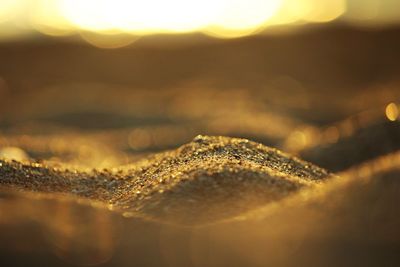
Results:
231 202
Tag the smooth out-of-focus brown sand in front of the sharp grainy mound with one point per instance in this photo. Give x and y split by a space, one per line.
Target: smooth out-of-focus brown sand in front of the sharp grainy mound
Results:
353 217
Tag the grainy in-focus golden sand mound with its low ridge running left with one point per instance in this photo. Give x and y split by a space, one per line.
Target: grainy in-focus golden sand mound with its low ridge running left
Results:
207 179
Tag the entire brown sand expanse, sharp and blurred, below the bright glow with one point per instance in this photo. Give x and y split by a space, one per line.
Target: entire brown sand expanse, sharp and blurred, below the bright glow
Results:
259 151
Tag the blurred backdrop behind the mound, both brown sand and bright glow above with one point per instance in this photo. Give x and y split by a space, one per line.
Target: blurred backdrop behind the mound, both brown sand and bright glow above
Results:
143 76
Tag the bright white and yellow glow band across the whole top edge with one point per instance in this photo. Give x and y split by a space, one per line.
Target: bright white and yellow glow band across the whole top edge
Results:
221 18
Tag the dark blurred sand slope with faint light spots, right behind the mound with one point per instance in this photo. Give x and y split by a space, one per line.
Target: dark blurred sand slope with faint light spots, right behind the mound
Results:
357 139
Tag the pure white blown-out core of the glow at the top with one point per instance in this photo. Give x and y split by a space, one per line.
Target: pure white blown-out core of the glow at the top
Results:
138 16
